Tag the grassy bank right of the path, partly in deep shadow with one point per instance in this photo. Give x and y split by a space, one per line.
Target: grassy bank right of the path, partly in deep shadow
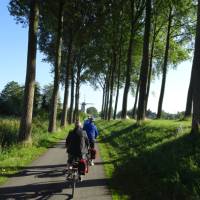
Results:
154 161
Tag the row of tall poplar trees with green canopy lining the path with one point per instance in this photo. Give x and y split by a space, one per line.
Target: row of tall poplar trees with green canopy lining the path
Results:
113 45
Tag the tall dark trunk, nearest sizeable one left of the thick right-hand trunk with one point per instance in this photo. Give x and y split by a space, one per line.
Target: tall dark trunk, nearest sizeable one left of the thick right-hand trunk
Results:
129 65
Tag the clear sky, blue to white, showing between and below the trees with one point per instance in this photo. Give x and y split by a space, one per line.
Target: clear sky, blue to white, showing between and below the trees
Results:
13 55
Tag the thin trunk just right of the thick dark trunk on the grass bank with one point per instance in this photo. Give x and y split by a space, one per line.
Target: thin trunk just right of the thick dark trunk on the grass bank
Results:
150 67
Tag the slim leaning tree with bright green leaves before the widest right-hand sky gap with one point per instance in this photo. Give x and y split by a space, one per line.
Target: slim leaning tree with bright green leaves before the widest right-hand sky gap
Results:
178 34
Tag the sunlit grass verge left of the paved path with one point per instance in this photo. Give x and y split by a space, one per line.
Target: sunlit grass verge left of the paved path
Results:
13 156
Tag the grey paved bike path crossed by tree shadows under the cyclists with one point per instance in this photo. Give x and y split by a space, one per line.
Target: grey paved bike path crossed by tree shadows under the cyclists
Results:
44 179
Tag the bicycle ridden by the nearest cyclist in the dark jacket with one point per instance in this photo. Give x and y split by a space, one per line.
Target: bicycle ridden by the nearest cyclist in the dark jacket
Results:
73 176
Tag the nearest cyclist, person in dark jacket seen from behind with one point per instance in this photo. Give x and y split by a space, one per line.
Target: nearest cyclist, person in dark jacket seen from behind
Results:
77 144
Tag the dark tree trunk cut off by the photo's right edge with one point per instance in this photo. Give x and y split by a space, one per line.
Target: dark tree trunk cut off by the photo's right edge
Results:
195 79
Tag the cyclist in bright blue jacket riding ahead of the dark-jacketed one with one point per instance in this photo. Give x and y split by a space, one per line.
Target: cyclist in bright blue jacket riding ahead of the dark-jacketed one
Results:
92 133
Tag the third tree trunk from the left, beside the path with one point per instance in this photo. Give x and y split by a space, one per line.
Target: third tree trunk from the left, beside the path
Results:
66 93
